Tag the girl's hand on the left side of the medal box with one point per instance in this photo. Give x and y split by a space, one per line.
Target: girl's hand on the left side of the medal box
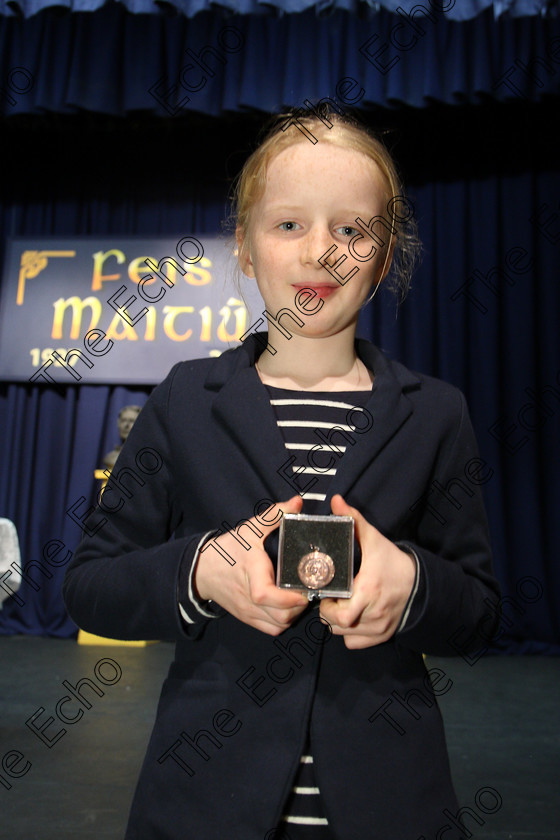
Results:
247 590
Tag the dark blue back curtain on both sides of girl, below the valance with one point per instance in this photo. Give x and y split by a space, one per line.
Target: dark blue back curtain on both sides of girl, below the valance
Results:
485 184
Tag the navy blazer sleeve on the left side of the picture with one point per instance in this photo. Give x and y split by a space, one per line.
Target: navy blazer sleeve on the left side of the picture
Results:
123 581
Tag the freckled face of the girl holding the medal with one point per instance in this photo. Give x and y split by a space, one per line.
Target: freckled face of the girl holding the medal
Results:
312 197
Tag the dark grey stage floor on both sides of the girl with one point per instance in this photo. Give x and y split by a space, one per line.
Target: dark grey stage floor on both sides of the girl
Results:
501 717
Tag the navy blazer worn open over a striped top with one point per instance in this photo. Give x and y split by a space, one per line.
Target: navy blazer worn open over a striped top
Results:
236 706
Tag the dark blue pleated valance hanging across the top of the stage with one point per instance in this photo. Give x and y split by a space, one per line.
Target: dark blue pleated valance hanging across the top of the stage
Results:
111 62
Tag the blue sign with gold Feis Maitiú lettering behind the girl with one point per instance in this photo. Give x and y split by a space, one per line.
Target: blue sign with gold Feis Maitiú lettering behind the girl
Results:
118 309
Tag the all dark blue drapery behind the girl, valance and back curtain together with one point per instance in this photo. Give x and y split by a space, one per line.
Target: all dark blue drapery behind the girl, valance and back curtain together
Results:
89 151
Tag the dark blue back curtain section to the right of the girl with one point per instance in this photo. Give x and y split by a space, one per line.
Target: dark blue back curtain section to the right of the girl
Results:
484 313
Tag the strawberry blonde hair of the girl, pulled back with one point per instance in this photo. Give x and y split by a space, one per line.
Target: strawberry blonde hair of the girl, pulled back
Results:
347 133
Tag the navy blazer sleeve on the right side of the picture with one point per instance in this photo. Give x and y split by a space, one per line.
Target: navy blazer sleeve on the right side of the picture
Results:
456 608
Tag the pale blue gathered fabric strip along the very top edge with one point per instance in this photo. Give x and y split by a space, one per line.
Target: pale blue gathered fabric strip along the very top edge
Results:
461 10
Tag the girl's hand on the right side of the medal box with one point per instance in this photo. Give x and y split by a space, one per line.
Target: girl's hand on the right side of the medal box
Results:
381 587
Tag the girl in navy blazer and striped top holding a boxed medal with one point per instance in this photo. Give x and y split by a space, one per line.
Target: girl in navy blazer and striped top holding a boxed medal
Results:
278 718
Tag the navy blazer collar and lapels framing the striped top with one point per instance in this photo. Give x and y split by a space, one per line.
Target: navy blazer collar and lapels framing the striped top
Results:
243 408
